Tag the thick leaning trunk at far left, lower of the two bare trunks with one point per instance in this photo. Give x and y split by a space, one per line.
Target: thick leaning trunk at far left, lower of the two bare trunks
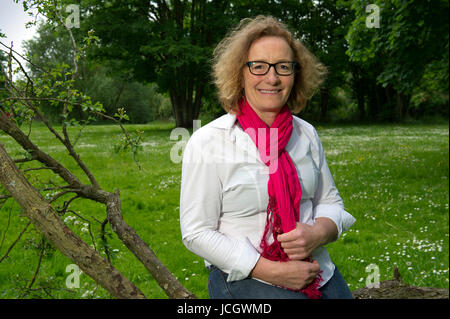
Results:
45 218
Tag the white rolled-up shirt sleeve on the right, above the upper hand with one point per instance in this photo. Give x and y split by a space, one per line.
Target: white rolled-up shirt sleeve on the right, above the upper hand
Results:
327 202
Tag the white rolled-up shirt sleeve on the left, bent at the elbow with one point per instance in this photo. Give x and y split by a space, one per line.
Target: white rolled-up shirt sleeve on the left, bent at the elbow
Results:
200 210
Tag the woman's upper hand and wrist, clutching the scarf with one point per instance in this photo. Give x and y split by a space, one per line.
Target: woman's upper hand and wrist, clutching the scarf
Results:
300 242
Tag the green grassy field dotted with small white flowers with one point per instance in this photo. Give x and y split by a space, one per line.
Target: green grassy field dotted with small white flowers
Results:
393 179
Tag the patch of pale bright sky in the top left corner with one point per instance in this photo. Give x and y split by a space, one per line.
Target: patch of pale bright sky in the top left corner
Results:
12 24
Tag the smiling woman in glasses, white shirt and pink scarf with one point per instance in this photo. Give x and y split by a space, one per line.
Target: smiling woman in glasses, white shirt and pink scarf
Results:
258 202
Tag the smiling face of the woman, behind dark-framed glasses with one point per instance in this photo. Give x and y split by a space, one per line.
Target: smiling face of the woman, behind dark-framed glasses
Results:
269 92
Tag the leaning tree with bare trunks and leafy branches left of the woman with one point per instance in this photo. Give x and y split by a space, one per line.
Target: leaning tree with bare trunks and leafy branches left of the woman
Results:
27 95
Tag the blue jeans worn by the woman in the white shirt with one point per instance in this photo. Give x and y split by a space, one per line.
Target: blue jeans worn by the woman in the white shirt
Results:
219 288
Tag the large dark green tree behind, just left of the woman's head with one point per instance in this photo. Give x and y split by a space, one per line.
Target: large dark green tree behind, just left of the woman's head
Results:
167 42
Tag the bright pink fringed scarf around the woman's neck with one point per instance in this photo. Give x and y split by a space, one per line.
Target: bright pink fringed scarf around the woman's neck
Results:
285 192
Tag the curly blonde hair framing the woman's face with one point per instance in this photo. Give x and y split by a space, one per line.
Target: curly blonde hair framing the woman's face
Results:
231 53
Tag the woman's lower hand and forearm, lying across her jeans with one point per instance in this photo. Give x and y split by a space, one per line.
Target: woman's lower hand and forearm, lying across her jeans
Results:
292 274
